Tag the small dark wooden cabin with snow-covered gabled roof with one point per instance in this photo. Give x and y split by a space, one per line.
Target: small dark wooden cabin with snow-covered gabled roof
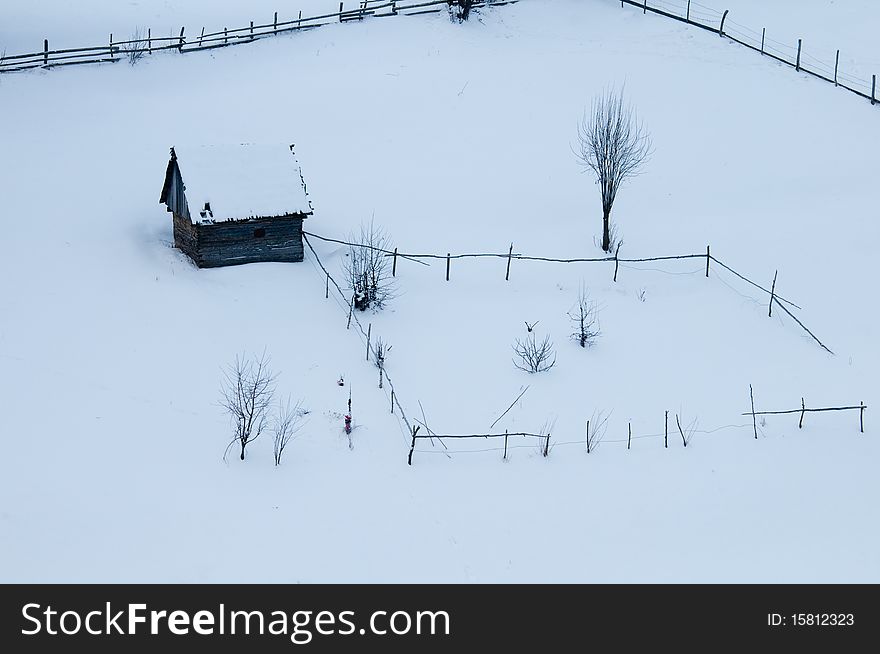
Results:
235 204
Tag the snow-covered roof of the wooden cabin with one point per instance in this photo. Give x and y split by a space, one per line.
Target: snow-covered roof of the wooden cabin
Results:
240 181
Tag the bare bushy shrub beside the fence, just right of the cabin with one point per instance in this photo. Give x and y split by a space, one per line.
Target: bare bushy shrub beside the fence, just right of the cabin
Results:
367 268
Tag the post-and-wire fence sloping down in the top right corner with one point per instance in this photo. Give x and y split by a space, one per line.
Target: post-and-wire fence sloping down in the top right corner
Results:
790 54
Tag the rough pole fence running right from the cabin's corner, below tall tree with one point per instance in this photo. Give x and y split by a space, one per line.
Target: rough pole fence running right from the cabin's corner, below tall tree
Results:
774 298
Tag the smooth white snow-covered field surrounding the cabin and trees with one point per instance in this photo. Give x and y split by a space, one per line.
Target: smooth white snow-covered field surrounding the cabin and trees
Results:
456 138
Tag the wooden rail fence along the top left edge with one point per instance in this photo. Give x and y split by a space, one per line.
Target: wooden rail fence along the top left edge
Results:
134 48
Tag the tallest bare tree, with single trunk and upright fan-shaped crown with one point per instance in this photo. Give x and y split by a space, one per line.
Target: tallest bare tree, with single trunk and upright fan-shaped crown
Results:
614 145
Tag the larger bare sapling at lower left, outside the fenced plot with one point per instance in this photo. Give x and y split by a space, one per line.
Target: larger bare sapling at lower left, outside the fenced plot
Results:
246 394
